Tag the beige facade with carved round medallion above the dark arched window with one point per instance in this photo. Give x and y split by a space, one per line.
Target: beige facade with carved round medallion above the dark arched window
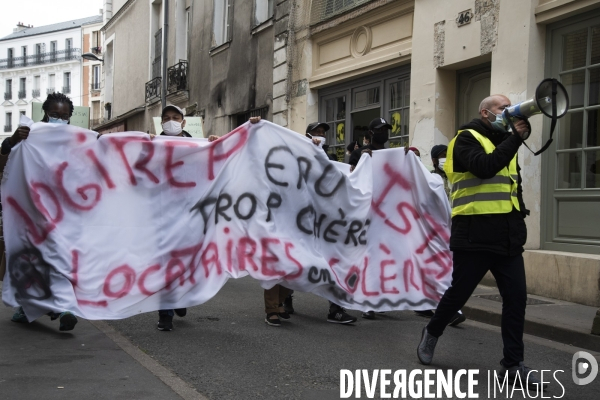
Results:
357 44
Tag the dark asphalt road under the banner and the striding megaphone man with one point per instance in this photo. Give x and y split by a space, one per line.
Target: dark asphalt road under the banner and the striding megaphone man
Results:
226 350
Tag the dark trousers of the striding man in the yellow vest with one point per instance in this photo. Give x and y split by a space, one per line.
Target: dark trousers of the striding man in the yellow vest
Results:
469 269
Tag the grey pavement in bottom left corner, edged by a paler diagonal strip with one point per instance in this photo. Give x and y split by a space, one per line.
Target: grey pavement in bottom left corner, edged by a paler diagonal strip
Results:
93 362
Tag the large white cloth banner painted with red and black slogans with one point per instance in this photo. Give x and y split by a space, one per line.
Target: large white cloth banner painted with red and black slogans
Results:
113 227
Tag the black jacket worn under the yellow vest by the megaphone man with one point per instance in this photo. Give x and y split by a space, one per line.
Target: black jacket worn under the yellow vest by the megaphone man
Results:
503 234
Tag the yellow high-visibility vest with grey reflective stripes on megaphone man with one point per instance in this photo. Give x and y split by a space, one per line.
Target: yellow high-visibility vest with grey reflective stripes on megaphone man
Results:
470 195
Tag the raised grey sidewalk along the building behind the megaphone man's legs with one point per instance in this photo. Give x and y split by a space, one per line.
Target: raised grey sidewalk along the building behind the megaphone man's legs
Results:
557 320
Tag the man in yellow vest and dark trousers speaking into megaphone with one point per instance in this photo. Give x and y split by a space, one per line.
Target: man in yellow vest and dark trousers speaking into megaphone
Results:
488 228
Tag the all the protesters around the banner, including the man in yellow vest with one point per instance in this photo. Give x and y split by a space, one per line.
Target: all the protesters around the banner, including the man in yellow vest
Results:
482 179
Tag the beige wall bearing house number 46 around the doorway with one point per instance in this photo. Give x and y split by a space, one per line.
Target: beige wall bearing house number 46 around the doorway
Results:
514 44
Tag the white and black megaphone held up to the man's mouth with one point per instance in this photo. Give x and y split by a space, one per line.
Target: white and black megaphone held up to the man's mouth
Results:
551 99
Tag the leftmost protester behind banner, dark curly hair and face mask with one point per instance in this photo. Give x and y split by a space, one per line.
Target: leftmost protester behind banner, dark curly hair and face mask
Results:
58 109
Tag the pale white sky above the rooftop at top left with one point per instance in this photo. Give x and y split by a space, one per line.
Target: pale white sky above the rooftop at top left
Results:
44 12
